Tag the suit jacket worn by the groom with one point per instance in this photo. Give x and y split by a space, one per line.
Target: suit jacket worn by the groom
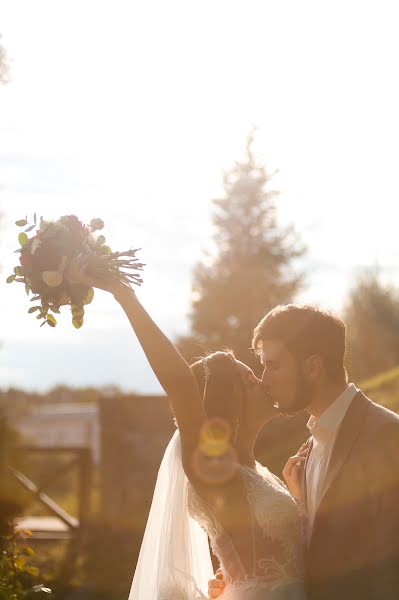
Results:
353 551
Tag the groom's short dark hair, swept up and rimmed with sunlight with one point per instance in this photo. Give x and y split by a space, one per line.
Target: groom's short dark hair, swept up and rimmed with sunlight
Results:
306 330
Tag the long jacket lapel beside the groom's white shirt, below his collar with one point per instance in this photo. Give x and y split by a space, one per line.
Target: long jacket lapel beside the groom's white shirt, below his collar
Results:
346 437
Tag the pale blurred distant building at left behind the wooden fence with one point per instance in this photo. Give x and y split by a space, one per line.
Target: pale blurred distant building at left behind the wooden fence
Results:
69 424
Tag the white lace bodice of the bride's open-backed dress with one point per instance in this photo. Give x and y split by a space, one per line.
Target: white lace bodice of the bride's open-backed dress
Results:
275 529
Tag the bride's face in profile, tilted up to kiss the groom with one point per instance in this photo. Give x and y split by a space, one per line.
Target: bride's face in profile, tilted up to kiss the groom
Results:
259 406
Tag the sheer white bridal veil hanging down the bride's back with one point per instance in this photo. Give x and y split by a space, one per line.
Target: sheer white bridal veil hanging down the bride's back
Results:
174 561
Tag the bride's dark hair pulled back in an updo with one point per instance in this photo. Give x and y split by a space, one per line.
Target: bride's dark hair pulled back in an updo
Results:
220 384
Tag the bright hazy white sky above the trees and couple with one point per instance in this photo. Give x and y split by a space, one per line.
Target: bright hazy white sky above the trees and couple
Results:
132 111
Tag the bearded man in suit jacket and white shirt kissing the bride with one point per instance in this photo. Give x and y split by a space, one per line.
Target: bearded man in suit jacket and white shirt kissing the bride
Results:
349 469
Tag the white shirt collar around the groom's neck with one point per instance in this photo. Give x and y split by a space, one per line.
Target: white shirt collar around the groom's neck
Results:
324 427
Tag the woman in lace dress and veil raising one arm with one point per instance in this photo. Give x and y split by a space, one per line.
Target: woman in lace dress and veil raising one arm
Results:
209 484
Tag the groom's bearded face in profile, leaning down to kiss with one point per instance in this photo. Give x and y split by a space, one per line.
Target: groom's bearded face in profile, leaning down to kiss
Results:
283 378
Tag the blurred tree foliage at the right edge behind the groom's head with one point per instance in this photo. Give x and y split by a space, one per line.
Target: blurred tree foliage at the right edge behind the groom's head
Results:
372 318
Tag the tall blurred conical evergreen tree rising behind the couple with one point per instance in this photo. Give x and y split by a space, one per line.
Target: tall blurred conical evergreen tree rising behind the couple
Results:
251 270
